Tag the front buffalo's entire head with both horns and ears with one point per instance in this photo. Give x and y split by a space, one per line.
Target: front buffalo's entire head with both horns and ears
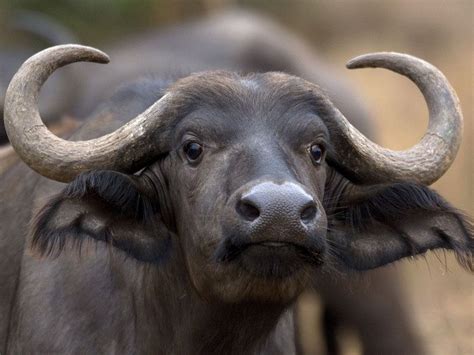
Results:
254 183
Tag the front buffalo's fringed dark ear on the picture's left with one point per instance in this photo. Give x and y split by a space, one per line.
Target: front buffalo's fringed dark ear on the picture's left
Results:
117 209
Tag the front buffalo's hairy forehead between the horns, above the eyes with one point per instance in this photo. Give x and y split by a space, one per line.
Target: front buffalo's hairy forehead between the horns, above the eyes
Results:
258 104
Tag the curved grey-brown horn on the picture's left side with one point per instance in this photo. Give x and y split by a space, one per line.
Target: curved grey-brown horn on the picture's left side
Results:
127 149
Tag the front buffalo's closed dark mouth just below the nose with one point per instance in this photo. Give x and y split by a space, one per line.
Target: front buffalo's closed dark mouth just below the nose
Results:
270 258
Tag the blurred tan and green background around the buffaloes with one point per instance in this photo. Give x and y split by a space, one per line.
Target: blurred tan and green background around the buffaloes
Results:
439 293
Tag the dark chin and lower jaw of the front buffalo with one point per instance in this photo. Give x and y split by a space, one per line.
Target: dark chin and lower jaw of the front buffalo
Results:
258 275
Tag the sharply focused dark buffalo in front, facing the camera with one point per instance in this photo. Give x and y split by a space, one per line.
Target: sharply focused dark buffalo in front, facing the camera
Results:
193 226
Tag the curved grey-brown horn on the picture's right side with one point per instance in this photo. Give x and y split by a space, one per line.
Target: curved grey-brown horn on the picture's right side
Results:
429 159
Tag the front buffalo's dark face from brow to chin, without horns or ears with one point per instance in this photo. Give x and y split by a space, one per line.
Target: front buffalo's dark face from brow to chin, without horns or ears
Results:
249 219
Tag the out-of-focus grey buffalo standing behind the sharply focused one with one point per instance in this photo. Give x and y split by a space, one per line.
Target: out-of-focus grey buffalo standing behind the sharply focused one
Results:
246 42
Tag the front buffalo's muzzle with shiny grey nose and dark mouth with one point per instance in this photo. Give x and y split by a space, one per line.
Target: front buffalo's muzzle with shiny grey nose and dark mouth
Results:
274 226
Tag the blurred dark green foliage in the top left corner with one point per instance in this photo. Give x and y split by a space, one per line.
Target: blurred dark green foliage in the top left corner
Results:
97 20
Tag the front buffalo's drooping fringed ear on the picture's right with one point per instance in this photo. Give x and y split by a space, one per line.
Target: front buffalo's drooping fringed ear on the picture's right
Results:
379 225
